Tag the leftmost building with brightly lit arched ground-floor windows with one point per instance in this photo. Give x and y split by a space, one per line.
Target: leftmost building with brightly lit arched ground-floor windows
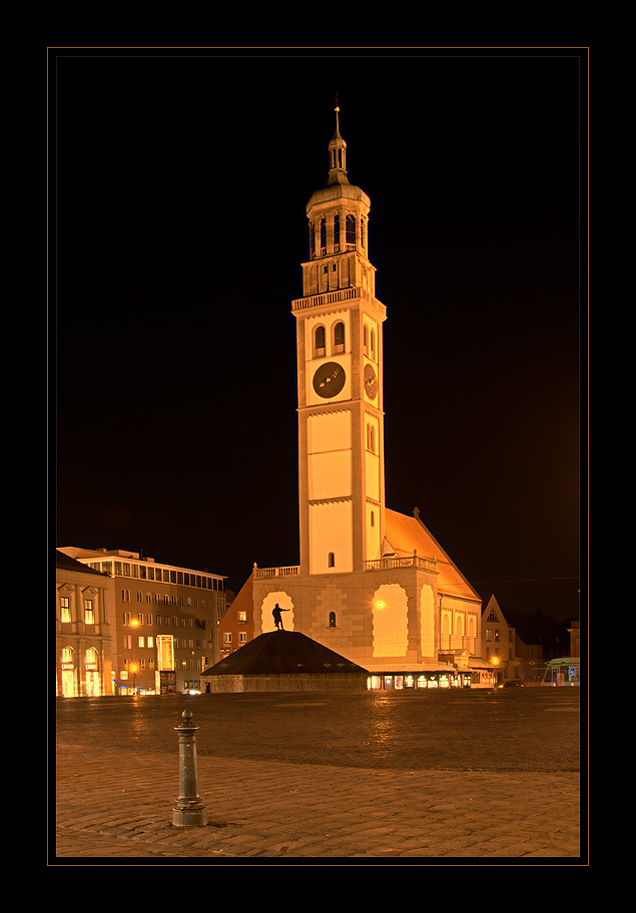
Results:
84 629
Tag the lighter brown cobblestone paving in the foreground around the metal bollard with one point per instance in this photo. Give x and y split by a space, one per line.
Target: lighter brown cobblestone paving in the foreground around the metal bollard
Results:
114 802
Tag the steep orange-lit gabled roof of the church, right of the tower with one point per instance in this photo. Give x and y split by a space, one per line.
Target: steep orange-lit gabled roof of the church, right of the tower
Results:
406 534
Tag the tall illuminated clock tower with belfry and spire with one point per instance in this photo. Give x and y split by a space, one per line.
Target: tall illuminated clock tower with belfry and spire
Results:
340 391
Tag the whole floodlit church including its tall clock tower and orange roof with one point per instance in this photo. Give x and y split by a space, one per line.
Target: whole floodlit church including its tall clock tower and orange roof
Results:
372 584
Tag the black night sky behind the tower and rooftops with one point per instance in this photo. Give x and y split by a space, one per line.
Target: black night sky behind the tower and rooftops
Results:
179 180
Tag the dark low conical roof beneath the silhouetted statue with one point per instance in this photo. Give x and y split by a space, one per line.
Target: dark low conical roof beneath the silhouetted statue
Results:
282 652
